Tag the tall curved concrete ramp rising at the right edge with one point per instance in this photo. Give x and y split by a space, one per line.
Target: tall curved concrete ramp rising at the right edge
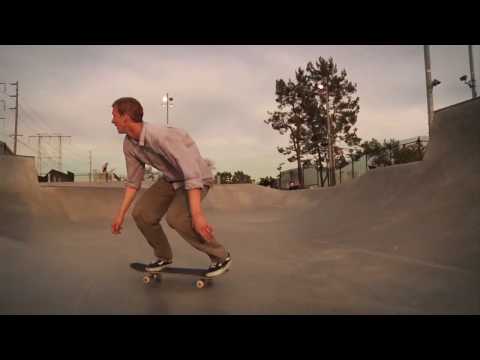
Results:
429 210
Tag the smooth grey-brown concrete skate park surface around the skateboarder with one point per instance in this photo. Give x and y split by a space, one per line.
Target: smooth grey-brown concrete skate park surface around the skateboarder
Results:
398 240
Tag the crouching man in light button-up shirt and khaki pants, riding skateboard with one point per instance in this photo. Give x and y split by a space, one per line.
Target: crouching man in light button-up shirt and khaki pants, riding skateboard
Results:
186 180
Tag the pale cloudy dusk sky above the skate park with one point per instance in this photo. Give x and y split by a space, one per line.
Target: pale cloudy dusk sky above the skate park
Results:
221 96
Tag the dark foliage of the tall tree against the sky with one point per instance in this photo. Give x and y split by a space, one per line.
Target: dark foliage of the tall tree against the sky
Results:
302 114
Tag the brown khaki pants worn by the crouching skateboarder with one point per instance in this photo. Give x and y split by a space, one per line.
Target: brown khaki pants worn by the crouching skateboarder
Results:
159 199
